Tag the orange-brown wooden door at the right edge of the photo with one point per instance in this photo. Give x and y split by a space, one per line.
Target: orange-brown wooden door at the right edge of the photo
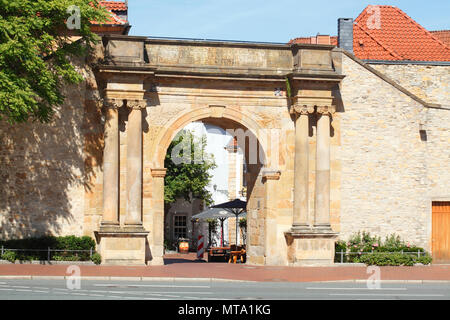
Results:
441 232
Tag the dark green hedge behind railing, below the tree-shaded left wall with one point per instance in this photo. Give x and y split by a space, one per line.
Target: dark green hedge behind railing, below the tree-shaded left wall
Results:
43 243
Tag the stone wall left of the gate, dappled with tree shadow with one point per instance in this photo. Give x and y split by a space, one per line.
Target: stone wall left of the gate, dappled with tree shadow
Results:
43 168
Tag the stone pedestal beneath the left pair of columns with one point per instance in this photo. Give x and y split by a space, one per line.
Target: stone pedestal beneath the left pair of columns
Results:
122 246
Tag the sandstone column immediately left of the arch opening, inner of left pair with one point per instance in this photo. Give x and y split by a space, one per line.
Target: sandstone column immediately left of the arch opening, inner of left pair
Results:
134 163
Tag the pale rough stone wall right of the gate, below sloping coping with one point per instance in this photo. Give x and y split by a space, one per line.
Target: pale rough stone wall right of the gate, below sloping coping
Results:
390 172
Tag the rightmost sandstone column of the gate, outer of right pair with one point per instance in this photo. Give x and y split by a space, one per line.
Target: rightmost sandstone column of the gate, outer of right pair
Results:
322 197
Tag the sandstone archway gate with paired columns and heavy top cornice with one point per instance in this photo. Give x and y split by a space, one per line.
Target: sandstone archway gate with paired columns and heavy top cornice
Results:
283 94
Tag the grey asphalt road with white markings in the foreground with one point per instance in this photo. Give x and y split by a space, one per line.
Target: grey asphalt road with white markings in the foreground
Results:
191 290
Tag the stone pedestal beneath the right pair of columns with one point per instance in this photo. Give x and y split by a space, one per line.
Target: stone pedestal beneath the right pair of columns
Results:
310 248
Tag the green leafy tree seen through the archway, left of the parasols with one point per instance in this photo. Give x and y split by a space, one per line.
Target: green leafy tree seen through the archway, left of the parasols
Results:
189 175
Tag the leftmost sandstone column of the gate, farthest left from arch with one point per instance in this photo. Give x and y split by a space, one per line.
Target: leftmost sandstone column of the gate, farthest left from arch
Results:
111 164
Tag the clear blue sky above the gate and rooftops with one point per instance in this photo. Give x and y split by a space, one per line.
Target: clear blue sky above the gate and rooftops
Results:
264 20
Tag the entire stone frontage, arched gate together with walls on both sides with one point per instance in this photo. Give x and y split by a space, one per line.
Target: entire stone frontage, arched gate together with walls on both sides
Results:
332 146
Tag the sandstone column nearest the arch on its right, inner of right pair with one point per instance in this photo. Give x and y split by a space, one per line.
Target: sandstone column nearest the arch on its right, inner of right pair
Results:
301 168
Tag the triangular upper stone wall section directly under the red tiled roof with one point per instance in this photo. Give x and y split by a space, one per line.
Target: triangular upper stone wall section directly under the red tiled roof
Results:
430 83
